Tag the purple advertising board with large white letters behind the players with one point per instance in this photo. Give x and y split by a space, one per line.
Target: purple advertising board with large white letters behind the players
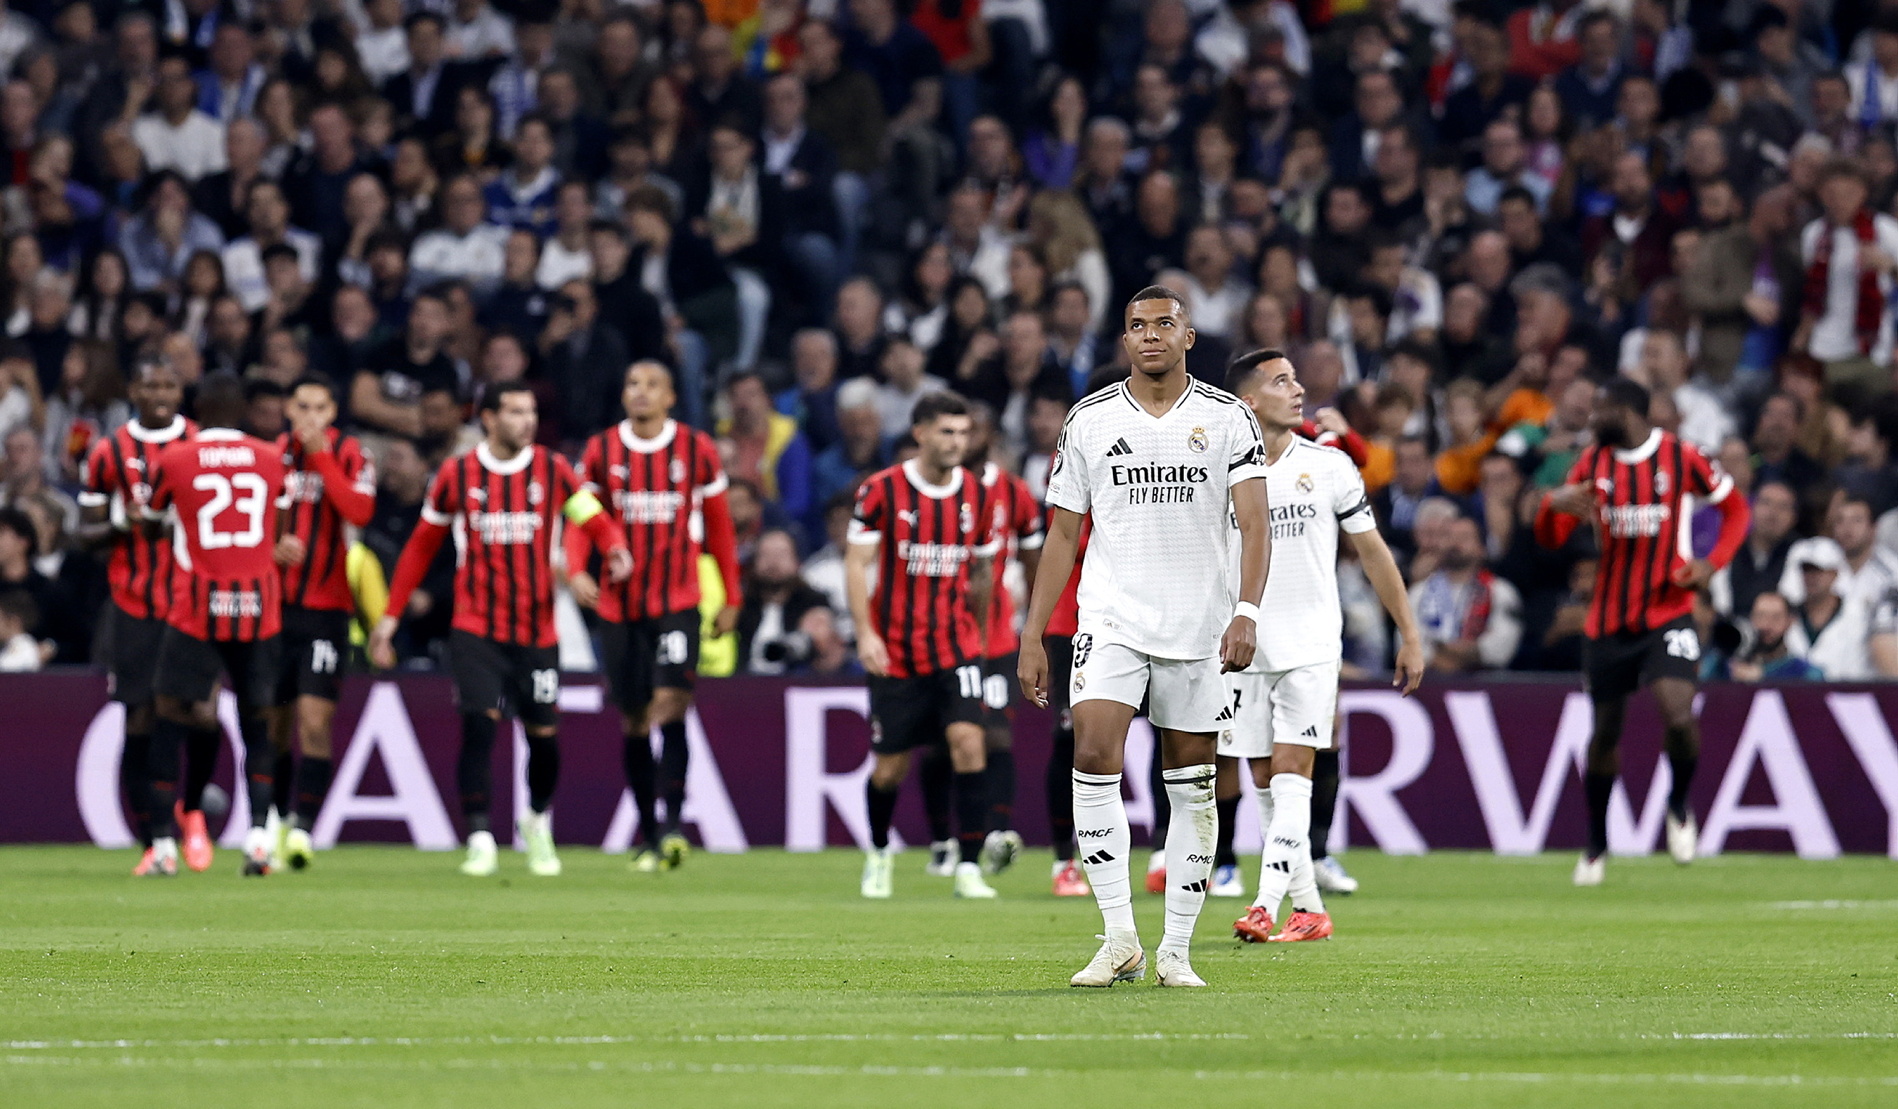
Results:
1461 766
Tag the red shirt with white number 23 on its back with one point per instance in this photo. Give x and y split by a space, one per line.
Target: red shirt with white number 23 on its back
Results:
227 489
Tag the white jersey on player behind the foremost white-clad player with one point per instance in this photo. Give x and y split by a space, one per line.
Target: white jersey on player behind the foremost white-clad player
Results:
1312 491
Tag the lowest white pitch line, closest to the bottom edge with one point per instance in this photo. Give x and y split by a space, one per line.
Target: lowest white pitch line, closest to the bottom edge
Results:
912 1072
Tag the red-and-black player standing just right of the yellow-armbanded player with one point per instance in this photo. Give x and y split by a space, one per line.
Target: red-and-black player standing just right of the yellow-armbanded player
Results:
665 491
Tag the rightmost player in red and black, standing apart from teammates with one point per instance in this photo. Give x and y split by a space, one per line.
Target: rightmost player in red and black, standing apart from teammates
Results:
1635 485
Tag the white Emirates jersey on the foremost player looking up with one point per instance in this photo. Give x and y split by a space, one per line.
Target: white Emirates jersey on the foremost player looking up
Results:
1161 493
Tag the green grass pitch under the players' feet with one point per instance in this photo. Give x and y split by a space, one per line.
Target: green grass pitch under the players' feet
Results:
386 979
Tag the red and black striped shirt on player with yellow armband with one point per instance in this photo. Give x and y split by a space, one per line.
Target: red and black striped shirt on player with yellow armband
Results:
504 523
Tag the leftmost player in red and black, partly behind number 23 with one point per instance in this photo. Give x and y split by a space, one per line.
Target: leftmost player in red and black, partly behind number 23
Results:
117 487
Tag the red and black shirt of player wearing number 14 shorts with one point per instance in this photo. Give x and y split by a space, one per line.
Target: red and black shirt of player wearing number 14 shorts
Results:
331 493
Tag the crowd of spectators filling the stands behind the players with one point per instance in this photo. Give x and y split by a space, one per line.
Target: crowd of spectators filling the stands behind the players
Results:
1457 217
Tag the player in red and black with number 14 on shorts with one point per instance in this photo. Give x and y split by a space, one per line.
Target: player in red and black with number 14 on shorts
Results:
333 493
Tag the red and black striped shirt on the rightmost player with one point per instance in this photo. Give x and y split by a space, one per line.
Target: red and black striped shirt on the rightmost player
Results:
1643 519
